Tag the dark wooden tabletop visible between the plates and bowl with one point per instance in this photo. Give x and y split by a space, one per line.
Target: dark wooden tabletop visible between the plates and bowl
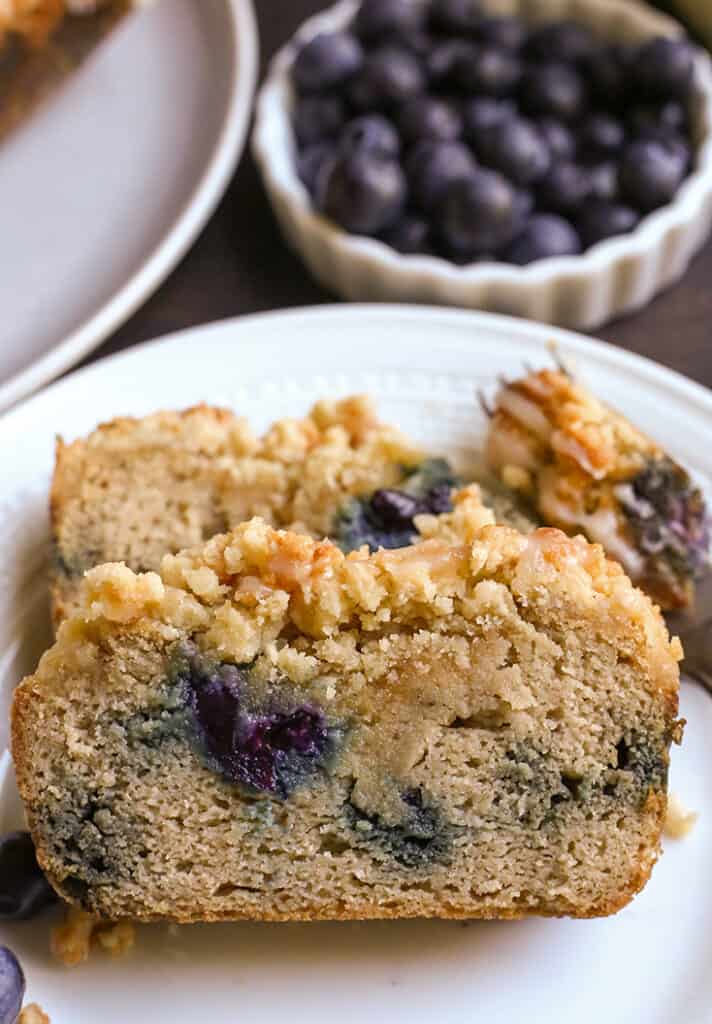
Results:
240 265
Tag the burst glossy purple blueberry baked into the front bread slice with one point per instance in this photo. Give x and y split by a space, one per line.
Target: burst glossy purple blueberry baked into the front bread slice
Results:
268 751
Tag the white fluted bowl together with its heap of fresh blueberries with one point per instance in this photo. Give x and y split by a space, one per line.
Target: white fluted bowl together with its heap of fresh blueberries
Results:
552 162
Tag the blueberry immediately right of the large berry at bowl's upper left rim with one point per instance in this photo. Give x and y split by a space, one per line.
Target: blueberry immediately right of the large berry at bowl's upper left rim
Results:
391 75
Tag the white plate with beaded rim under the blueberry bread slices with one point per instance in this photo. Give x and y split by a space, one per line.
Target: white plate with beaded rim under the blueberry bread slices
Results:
649 965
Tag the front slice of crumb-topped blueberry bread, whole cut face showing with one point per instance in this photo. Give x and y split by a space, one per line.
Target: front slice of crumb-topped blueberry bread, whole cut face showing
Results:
273 730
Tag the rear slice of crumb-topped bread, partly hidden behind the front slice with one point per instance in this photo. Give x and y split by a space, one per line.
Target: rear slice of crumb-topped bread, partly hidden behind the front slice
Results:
138 489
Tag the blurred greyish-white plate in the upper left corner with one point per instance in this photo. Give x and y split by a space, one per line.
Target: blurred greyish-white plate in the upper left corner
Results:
108 185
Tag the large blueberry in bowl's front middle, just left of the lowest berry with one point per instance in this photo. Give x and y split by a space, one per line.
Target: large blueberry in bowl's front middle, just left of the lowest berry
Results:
481 215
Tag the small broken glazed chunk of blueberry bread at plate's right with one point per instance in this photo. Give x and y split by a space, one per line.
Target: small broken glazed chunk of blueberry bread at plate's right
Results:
588 470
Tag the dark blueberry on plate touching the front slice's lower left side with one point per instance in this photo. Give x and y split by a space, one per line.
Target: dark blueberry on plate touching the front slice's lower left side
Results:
24 889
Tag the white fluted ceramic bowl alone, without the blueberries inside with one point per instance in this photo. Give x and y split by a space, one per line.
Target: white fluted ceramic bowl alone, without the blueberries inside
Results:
612 278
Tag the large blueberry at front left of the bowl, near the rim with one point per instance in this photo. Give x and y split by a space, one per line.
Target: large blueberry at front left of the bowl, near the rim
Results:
364 193
